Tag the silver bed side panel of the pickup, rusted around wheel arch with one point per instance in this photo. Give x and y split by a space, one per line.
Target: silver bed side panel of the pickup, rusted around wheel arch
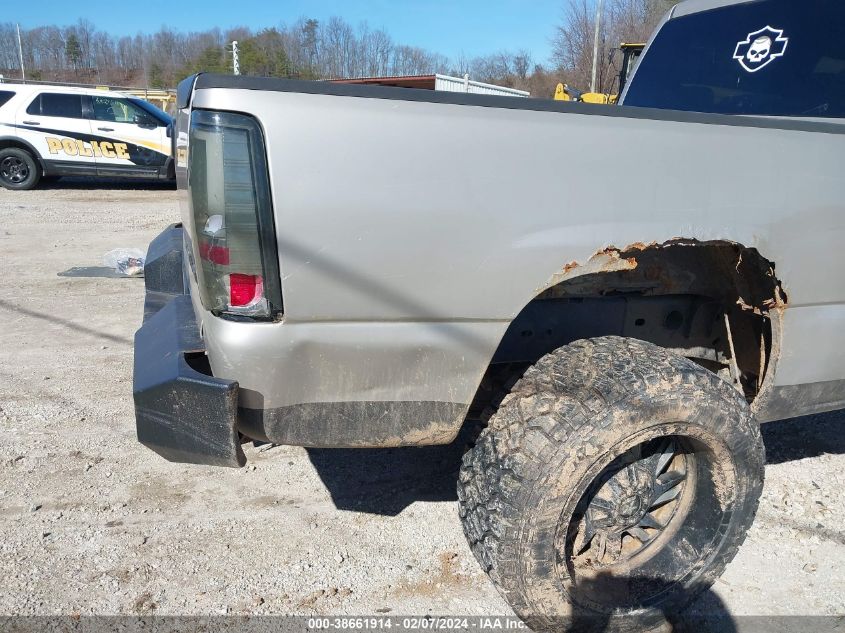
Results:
411 232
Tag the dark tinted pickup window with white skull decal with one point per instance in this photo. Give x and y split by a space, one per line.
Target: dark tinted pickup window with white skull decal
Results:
775 57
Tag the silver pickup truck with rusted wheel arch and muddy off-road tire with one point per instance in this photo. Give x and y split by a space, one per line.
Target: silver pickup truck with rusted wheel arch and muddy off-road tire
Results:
620 294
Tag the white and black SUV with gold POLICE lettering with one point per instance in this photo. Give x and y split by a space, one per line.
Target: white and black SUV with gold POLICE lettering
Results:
53 131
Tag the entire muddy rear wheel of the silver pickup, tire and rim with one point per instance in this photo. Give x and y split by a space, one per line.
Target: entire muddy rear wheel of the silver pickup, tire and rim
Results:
611 487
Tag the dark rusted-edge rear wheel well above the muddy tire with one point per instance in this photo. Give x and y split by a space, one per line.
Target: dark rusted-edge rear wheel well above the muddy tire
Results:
717 303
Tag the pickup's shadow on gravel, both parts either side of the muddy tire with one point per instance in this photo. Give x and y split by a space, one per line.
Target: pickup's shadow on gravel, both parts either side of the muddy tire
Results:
387 480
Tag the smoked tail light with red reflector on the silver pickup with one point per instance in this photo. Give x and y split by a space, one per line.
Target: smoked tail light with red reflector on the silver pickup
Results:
235 247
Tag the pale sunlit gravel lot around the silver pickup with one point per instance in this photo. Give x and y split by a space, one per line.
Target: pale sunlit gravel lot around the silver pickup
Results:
92 522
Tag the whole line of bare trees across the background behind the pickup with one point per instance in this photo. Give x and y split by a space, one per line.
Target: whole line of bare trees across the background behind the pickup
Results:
312 49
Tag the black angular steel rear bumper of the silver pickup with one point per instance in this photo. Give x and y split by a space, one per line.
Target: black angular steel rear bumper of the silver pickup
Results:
182 412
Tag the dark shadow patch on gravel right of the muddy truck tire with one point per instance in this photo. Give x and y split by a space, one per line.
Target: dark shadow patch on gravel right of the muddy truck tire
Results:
808 436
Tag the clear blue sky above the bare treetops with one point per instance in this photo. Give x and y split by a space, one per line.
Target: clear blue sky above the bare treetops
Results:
472 27
